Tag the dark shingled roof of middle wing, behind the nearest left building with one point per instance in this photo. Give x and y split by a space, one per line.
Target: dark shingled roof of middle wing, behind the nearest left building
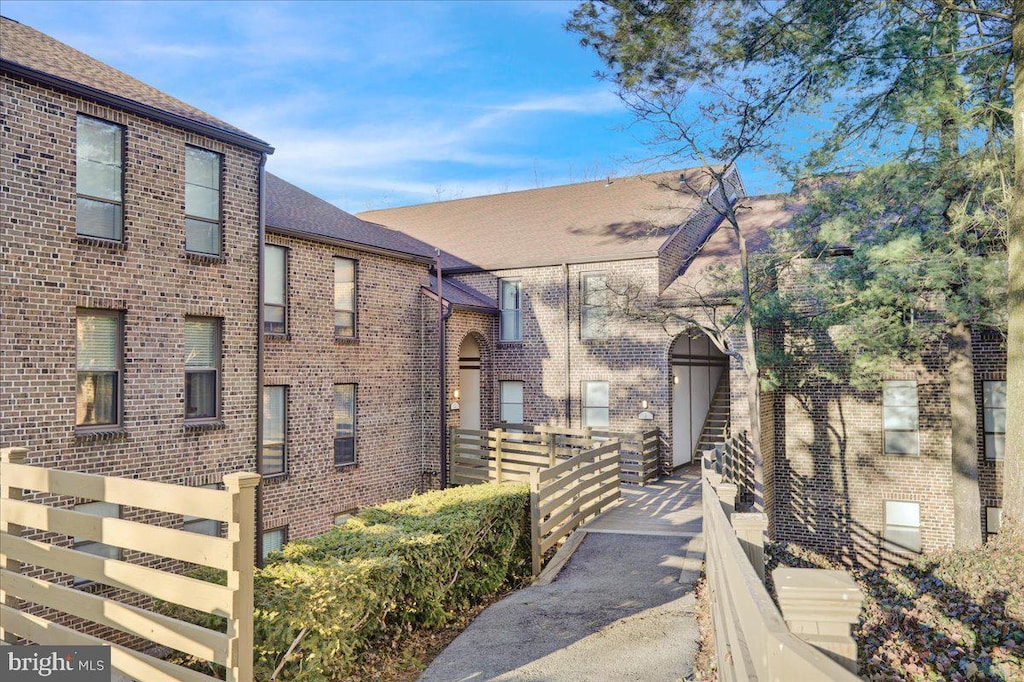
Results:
295 212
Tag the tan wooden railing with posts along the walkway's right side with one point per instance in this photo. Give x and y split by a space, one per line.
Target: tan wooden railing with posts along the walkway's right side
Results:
753 640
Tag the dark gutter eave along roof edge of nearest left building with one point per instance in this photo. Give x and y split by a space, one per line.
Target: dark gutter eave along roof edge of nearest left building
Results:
103 98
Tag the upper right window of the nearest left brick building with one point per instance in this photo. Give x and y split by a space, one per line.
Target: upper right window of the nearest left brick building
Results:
202 201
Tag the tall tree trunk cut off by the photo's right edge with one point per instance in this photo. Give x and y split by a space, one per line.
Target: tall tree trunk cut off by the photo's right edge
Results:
1013 463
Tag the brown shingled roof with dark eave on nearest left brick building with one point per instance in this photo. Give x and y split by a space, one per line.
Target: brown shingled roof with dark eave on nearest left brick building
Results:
32 55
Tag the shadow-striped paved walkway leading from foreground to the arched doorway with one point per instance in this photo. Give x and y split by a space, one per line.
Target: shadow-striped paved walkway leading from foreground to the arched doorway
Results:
623 608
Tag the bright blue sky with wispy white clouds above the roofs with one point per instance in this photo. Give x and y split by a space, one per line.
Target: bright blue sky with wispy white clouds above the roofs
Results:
378 105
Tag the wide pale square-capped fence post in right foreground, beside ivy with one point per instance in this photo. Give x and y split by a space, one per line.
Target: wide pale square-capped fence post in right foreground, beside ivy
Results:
821 607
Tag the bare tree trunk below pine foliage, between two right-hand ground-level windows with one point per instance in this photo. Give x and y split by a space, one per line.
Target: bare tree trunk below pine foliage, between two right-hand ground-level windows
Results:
964 418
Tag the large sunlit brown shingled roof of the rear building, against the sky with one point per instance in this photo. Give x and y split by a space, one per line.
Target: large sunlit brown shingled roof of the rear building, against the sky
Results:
615 220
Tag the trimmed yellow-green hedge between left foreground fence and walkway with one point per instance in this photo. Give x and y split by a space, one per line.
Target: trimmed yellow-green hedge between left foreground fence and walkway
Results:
393 569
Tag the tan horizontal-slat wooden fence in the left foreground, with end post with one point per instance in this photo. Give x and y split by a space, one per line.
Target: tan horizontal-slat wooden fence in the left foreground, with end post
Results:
235 555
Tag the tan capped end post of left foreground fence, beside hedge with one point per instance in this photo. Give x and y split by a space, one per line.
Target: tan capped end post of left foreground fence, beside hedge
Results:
242 533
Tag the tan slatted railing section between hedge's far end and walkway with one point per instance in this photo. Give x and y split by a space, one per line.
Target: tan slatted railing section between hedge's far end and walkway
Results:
564 497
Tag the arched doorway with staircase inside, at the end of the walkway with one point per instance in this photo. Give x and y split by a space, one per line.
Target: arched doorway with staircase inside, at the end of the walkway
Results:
698 370
